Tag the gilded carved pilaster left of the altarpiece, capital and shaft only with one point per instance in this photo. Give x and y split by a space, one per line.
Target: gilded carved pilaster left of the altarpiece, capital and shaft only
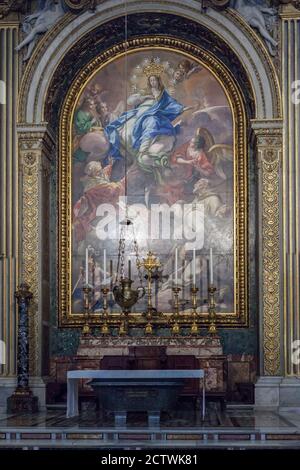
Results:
35 150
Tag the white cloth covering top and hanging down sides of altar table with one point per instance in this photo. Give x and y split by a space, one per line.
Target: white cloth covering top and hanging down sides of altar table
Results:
74 376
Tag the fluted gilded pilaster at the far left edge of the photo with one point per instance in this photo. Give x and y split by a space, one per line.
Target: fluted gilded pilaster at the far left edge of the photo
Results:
9 207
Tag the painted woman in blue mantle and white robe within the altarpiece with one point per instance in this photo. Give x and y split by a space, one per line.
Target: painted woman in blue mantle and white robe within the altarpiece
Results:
146 132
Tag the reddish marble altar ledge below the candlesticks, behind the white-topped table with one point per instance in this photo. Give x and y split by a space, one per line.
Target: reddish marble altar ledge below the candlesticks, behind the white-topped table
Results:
205 351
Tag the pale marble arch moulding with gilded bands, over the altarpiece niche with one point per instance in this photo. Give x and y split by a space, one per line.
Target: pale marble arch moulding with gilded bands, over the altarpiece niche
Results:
228 27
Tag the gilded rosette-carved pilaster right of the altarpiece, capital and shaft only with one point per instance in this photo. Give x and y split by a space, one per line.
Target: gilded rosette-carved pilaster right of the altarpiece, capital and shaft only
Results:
269 147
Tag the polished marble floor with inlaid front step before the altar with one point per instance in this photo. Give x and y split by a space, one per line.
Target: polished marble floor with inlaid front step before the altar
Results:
234 428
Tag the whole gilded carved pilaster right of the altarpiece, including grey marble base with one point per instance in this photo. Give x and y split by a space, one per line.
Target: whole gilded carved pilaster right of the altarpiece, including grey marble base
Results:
268 143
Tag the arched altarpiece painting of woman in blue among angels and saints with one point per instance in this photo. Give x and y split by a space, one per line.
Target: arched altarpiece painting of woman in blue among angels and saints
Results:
151 135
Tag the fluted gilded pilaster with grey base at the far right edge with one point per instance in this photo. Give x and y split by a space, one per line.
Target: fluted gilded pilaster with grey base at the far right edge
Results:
290 385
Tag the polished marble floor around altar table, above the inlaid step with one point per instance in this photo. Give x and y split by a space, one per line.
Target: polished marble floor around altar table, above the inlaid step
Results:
231 418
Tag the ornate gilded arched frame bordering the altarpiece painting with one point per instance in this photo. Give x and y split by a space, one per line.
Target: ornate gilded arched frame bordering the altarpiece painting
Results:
240 315
